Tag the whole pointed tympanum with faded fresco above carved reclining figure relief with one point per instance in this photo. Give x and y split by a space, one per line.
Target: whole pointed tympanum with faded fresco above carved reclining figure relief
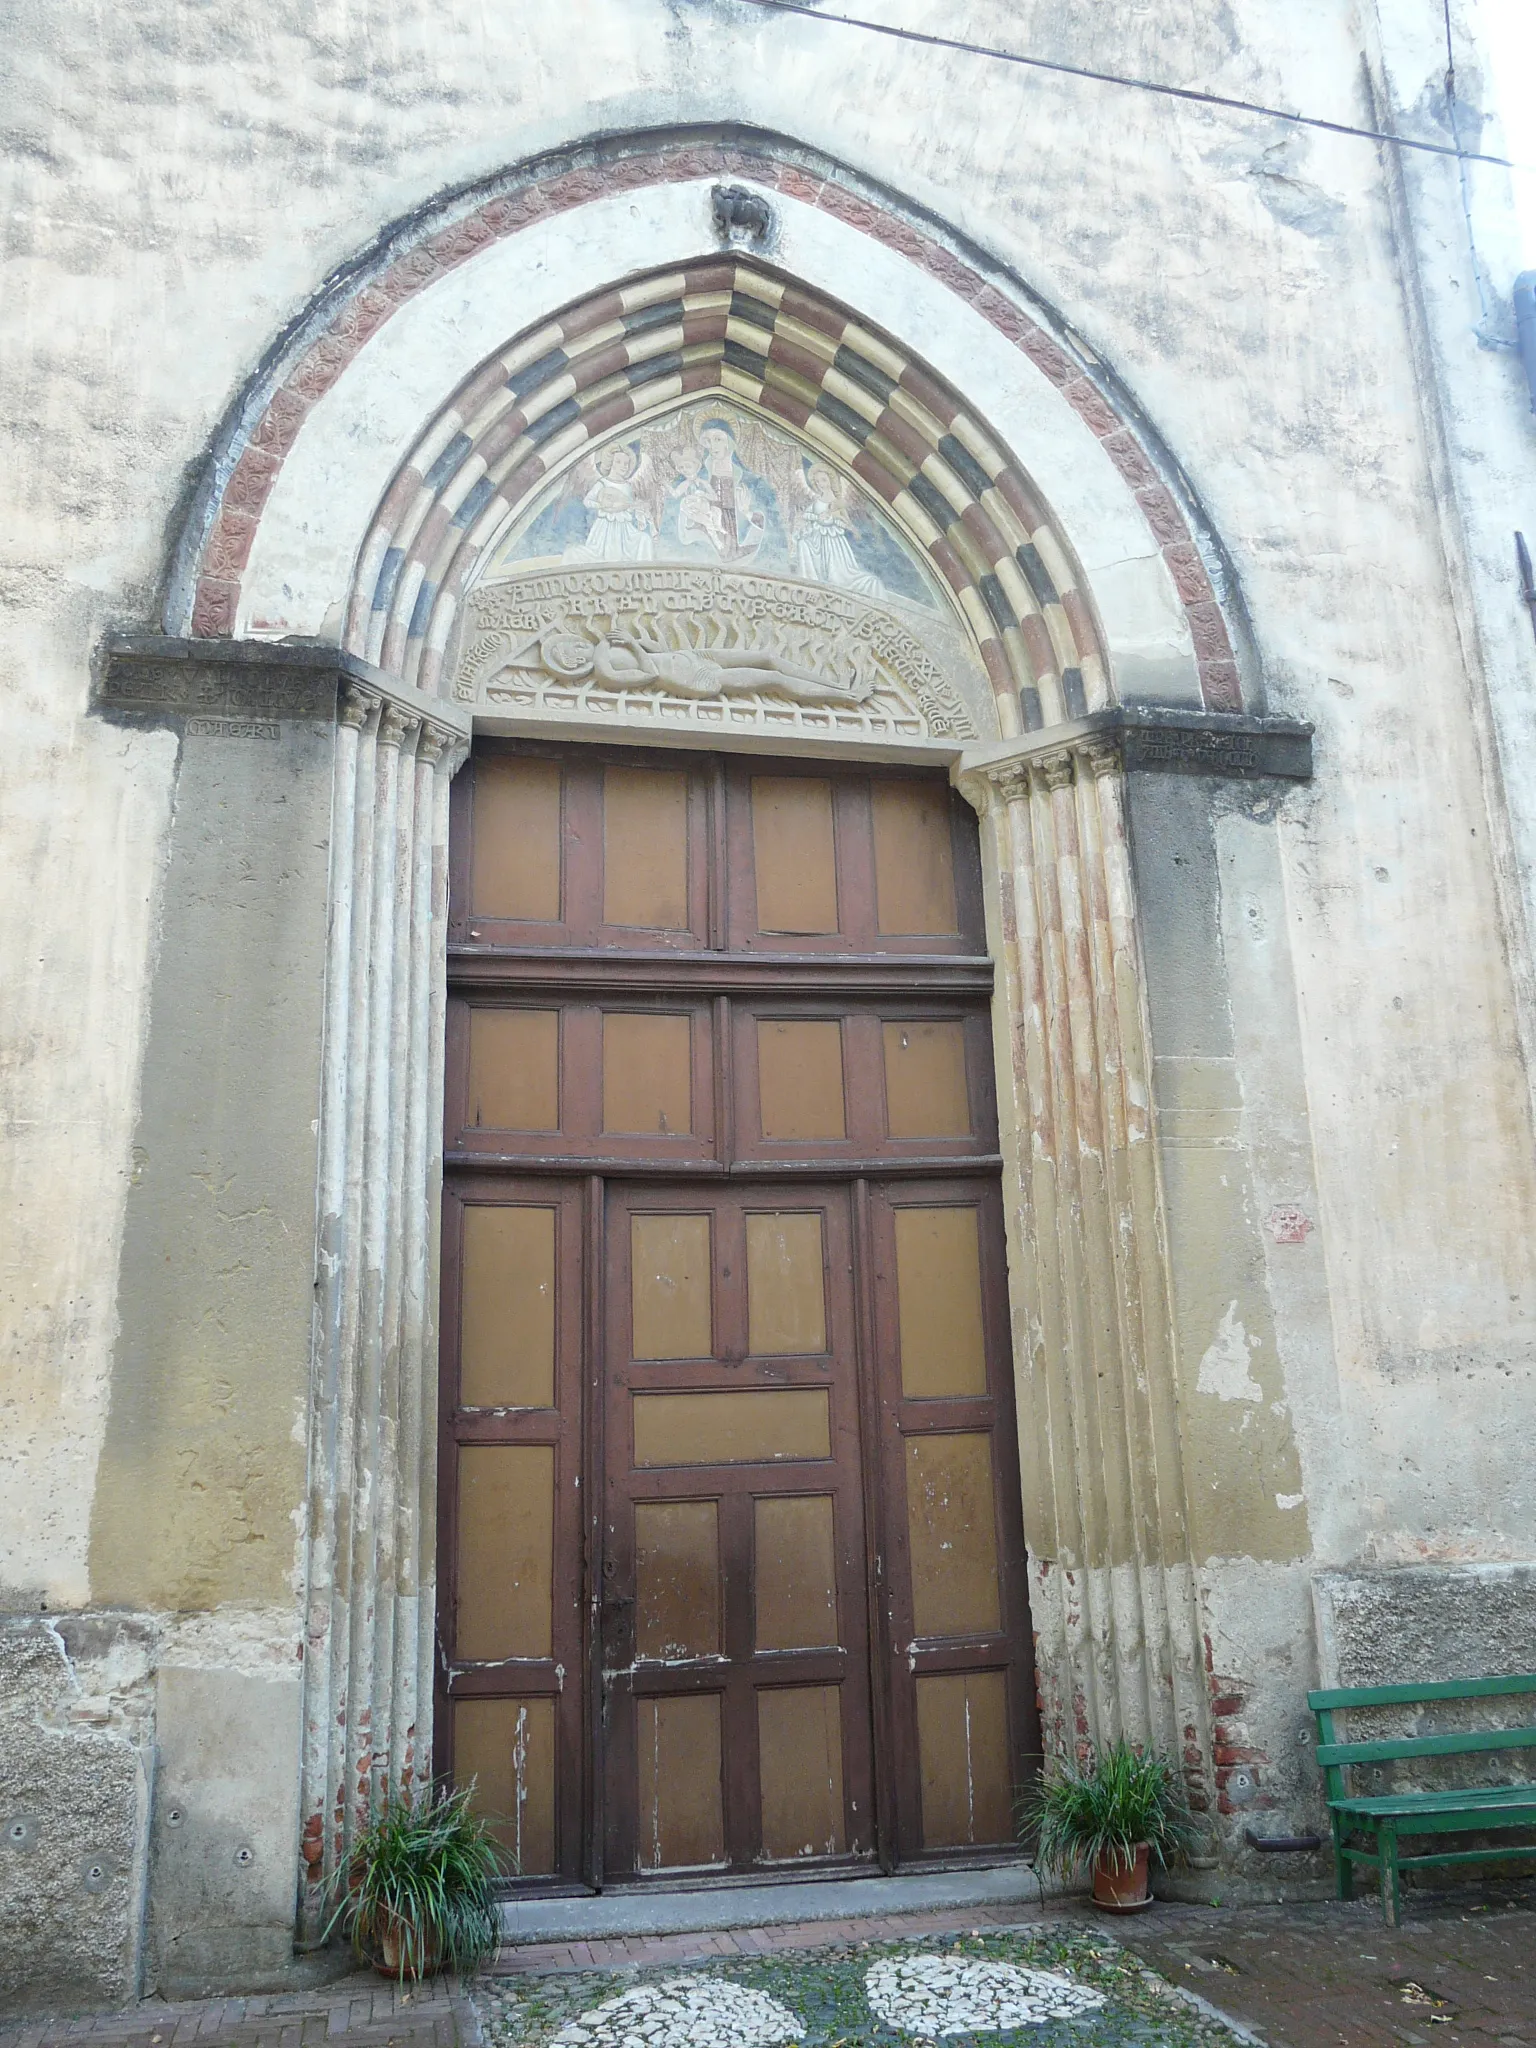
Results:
708 568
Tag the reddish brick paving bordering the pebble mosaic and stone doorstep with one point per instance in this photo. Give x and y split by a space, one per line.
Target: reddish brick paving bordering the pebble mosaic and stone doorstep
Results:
1461 1973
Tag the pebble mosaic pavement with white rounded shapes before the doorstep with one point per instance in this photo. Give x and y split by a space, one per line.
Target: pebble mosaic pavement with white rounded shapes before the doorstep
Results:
1054 1988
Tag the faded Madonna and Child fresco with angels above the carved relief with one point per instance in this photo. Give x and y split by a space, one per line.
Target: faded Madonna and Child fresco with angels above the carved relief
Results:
716 486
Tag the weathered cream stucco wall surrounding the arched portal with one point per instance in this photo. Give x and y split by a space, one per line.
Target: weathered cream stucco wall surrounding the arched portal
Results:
1295 321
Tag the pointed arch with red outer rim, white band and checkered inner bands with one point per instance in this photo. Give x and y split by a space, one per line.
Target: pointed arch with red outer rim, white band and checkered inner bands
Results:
269 488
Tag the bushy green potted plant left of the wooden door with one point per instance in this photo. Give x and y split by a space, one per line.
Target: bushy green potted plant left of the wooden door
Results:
419 1889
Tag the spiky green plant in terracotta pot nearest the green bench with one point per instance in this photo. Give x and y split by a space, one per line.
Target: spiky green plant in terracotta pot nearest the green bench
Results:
1113 1814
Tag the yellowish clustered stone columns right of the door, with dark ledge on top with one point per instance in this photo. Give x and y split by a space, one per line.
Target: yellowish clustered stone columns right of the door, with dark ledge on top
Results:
1113 1582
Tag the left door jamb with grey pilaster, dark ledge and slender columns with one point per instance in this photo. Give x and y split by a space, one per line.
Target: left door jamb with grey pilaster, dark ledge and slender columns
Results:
269 1463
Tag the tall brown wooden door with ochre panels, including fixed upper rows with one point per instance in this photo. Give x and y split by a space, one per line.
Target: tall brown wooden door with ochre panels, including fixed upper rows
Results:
730 1531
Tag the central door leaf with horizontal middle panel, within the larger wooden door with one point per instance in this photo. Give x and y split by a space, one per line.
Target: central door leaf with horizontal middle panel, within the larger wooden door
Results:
734 1635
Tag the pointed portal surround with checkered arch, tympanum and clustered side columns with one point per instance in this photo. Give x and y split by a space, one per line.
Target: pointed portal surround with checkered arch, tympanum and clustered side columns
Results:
568 464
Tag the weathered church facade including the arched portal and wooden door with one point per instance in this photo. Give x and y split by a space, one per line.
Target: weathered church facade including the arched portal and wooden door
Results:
771 861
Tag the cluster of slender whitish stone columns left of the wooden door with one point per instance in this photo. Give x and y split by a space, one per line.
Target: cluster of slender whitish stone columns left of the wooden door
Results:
374 1428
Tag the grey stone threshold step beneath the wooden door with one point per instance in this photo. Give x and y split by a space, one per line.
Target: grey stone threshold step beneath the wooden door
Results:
644 1912
